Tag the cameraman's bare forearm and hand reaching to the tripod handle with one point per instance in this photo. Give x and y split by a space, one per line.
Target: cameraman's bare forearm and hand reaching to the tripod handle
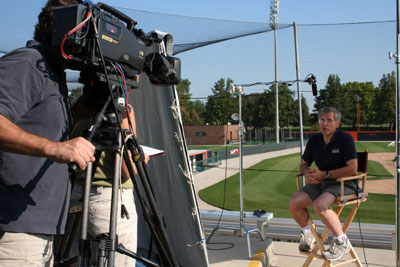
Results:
15 140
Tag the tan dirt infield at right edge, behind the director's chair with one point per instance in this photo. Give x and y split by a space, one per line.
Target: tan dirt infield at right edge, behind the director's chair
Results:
385 186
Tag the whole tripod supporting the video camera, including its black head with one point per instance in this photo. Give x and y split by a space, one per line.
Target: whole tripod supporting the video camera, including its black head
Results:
110 138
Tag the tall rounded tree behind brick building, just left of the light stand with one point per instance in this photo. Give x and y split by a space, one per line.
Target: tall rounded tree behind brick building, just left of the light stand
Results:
221 105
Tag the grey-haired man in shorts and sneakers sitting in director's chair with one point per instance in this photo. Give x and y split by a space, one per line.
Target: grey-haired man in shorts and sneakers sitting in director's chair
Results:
334 153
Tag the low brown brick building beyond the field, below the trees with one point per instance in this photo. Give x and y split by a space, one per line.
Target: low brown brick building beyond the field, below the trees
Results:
211 134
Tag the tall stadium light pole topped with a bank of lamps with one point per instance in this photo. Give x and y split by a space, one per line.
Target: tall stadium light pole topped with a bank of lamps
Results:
273 23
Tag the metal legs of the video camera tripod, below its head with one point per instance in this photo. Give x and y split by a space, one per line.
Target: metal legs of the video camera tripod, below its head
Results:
108 245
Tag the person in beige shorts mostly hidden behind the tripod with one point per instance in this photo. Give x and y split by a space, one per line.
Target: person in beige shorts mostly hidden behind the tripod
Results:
85 111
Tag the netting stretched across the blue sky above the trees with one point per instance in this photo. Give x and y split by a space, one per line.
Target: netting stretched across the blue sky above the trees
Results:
353 51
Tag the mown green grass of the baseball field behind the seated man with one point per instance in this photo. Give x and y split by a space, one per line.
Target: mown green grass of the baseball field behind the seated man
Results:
269 185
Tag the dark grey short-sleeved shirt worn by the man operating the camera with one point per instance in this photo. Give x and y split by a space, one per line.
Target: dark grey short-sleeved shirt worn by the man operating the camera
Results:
34 191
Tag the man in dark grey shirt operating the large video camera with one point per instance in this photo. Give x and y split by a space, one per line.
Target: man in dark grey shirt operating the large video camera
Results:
34 128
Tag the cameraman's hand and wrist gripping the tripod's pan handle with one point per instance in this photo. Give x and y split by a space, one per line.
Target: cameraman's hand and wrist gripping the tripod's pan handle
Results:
77 150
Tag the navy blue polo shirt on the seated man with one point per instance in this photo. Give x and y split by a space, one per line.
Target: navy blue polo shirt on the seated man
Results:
330 156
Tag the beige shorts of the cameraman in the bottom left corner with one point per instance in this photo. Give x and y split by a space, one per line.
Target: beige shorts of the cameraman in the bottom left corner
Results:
20 249
